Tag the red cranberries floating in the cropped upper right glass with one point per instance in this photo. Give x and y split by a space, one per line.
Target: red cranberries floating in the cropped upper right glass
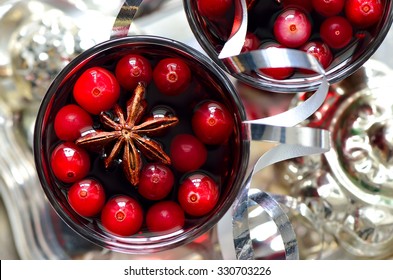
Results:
323 28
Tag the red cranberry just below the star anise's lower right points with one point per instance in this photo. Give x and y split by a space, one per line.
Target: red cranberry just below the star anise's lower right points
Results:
155 181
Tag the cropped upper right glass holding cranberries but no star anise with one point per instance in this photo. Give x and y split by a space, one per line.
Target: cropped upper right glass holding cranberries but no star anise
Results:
342 36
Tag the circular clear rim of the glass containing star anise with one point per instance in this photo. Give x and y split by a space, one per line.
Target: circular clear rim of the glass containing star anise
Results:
136 244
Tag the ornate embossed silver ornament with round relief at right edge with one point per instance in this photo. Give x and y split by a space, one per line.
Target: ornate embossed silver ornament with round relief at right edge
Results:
349 189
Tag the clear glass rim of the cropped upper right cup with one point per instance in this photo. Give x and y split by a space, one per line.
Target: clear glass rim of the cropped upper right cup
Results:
353 58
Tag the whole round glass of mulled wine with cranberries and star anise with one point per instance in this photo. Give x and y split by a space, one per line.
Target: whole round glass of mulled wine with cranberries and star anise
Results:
143 144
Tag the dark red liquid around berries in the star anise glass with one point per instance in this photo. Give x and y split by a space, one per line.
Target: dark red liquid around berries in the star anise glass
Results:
222 163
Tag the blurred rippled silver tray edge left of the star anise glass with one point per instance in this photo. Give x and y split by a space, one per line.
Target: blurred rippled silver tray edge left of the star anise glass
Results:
35 229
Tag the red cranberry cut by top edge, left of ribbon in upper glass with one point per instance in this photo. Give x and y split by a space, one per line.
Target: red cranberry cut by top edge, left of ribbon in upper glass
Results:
213 9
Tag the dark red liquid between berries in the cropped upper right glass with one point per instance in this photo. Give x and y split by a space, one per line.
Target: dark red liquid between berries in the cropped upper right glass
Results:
261 18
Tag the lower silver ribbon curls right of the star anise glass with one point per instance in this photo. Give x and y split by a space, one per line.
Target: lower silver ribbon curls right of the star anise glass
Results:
291 142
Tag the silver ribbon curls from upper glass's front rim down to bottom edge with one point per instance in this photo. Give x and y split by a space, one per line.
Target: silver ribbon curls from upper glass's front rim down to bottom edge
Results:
292 142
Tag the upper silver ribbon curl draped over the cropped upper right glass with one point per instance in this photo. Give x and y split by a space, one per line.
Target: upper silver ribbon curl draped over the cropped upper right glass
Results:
237 62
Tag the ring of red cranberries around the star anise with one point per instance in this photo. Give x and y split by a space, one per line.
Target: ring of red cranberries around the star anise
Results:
174 192
